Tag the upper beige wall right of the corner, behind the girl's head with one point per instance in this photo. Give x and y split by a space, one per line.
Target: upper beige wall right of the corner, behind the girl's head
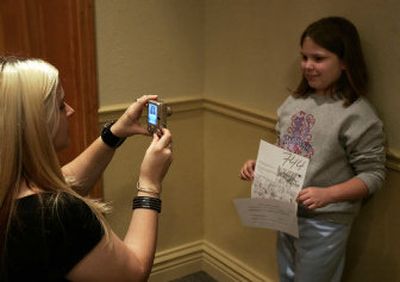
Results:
252 51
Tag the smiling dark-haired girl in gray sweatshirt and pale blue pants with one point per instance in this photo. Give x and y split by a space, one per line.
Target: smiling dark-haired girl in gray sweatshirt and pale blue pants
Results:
328 120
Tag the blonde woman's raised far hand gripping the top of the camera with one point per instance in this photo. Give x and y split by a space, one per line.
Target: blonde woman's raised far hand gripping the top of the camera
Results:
129 123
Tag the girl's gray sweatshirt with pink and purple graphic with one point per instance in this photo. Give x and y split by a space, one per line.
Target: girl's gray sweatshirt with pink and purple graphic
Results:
341 142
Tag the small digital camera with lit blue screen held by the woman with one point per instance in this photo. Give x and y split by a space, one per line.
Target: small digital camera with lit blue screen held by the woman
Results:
157 113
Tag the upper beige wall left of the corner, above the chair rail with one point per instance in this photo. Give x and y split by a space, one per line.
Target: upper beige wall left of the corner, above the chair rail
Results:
149 47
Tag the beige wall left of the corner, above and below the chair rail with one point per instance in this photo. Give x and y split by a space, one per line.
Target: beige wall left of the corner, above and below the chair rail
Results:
155 47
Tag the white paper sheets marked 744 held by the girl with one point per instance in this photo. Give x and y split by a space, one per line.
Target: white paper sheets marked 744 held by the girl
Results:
279 176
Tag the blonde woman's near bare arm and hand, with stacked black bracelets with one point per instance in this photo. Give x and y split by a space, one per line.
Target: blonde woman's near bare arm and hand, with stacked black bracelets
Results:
131 259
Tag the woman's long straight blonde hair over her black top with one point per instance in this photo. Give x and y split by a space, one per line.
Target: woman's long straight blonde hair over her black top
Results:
29 115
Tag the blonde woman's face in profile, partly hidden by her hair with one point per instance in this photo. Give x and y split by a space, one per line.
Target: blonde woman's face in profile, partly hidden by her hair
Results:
61 139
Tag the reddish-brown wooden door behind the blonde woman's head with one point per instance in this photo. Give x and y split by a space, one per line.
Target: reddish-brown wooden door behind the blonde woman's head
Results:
62 33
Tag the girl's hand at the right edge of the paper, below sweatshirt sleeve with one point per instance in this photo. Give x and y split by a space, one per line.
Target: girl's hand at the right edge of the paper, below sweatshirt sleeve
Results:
314 197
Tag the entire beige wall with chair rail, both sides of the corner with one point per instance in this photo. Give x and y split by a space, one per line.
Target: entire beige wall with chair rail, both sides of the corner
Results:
225 67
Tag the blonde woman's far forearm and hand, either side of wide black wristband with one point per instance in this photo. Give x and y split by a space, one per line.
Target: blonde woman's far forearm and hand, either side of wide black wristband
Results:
86 169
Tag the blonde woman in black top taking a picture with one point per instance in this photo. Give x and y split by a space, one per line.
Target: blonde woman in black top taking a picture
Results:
49 231
